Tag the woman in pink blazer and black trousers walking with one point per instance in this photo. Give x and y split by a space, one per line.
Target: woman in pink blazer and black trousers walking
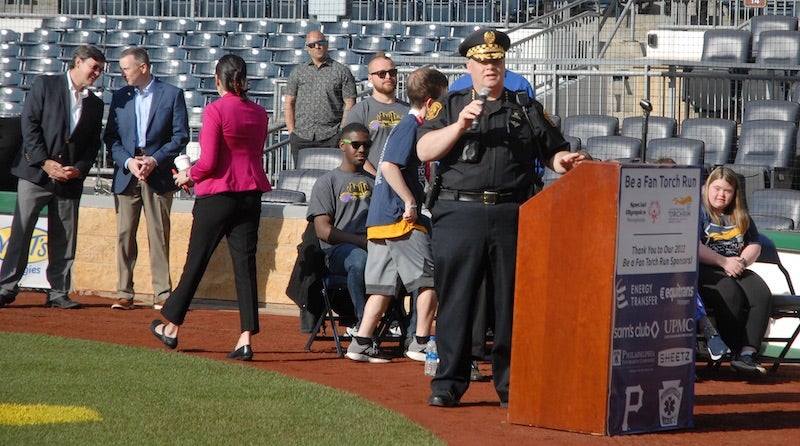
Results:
228 181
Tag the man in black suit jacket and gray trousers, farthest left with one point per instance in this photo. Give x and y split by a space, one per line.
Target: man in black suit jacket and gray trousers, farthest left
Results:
61 123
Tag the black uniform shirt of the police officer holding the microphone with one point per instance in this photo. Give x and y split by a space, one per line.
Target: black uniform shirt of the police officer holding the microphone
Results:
508 145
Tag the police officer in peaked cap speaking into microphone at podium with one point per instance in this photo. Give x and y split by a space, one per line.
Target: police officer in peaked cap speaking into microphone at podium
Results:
486 151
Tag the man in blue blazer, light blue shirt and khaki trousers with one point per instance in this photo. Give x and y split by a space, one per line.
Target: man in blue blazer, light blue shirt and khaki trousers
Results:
147 128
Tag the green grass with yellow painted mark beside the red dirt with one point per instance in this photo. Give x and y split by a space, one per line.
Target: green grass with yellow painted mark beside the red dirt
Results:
57 391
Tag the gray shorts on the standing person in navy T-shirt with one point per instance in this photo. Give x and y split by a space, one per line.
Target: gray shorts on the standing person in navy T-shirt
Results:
408 258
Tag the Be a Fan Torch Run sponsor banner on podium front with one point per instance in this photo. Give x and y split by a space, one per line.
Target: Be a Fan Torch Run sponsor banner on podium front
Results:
652 358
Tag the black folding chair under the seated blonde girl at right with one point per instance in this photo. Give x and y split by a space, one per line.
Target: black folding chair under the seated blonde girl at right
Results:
783 306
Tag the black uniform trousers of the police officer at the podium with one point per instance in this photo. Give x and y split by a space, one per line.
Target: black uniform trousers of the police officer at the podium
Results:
470 241
